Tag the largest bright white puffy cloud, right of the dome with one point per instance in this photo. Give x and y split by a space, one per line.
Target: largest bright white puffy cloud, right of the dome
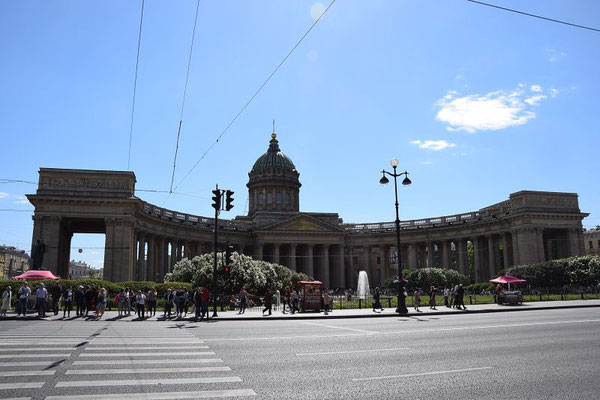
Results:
489 112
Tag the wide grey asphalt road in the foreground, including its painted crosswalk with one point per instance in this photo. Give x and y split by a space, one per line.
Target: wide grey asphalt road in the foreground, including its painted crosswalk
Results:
549 354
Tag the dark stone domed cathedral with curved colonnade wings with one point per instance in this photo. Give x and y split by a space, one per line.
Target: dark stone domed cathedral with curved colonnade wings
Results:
143 241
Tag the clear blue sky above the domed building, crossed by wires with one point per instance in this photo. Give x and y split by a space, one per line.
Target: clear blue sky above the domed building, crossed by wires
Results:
476 103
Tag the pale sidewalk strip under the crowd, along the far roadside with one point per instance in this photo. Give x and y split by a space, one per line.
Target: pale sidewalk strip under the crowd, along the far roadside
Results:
354 313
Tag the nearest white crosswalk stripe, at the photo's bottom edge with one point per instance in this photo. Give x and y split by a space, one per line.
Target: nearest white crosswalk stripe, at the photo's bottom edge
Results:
204 394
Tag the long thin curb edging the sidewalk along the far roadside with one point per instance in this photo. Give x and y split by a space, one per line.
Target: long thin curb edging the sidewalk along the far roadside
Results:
316 316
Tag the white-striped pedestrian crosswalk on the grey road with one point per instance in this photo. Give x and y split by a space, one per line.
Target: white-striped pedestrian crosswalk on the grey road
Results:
104 361
